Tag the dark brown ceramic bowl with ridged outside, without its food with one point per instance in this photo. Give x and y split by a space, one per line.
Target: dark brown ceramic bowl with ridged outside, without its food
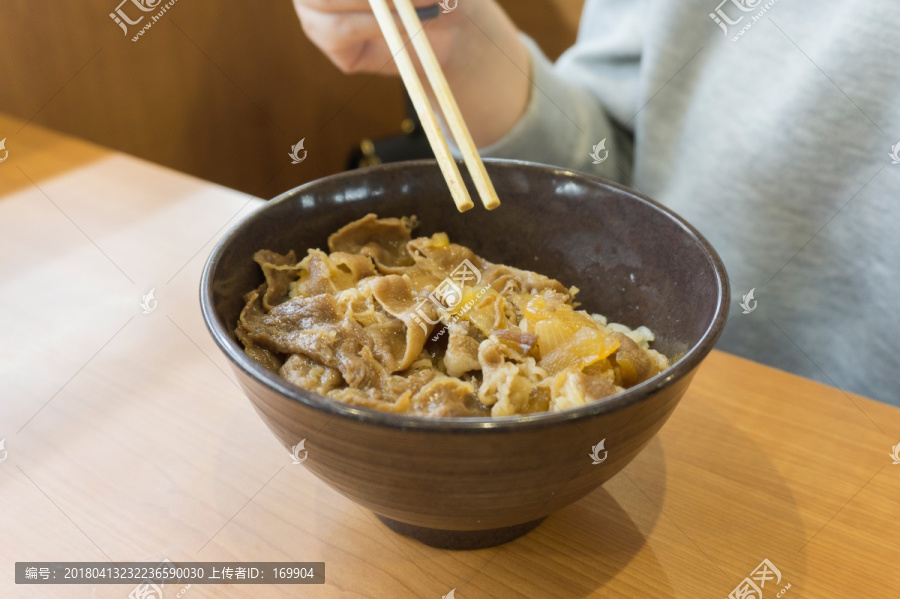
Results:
470 482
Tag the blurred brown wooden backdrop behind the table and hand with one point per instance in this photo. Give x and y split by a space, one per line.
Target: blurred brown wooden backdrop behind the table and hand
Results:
219 90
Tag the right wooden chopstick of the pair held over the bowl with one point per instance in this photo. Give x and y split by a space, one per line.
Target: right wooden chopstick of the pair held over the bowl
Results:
413 25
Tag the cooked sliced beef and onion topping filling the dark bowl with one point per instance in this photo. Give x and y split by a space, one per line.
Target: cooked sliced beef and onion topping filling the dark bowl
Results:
426 327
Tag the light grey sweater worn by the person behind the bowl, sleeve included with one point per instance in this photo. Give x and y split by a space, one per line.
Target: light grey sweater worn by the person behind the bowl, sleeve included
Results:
769 126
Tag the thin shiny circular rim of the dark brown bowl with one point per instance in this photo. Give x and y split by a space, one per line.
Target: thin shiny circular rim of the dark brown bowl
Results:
463 424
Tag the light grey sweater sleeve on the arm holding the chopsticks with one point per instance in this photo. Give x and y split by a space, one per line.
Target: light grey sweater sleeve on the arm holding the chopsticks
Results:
587 98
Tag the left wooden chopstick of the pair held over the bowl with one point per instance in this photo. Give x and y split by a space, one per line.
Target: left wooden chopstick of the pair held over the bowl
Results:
420 102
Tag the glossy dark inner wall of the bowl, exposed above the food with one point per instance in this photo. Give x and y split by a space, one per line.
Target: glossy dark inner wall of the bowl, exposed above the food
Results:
632 260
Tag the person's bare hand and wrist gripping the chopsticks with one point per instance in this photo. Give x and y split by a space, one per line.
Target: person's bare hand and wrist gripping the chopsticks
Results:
485 62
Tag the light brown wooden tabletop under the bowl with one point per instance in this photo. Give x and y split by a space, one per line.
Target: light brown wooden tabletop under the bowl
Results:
128 439
